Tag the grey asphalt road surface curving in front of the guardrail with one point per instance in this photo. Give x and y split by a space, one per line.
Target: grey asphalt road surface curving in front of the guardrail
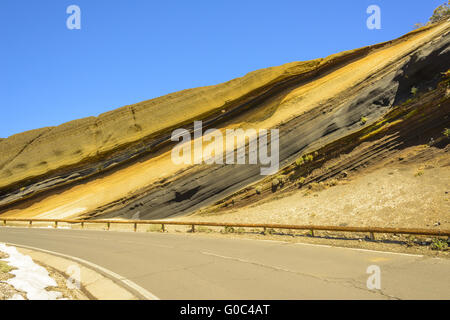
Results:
173 266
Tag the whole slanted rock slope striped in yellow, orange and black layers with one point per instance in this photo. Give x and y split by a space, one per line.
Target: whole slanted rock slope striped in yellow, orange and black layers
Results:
119 165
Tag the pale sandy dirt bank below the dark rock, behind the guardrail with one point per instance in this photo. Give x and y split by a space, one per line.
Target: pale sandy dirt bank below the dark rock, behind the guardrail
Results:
409 191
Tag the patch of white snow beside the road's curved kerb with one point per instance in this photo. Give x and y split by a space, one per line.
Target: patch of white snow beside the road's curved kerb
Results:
29 277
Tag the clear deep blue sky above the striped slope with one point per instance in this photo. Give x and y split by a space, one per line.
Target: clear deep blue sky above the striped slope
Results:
128 51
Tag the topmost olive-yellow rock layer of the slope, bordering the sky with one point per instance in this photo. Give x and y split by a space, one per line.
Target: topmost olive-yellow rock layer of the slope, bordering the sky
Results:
37 152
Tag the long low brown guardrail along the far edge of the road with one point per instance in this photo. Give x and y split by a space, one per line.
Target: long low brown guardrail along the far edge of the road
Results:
371 230
